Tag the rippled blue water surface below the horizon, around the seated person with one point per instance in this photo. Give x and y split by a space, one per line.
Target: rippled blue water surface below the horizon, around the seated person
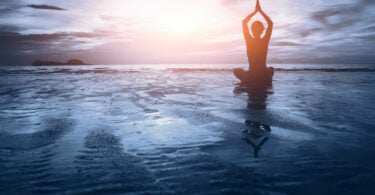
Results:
180 129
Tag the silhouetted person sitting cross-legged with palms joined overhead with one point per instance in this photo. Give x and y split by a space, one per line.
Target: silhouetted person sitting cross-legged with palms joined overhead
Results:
257 49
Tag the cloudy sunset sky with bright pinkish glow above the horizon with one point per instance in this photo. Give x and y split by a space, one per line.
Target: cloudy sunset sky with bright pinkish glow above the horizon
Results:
183 31
